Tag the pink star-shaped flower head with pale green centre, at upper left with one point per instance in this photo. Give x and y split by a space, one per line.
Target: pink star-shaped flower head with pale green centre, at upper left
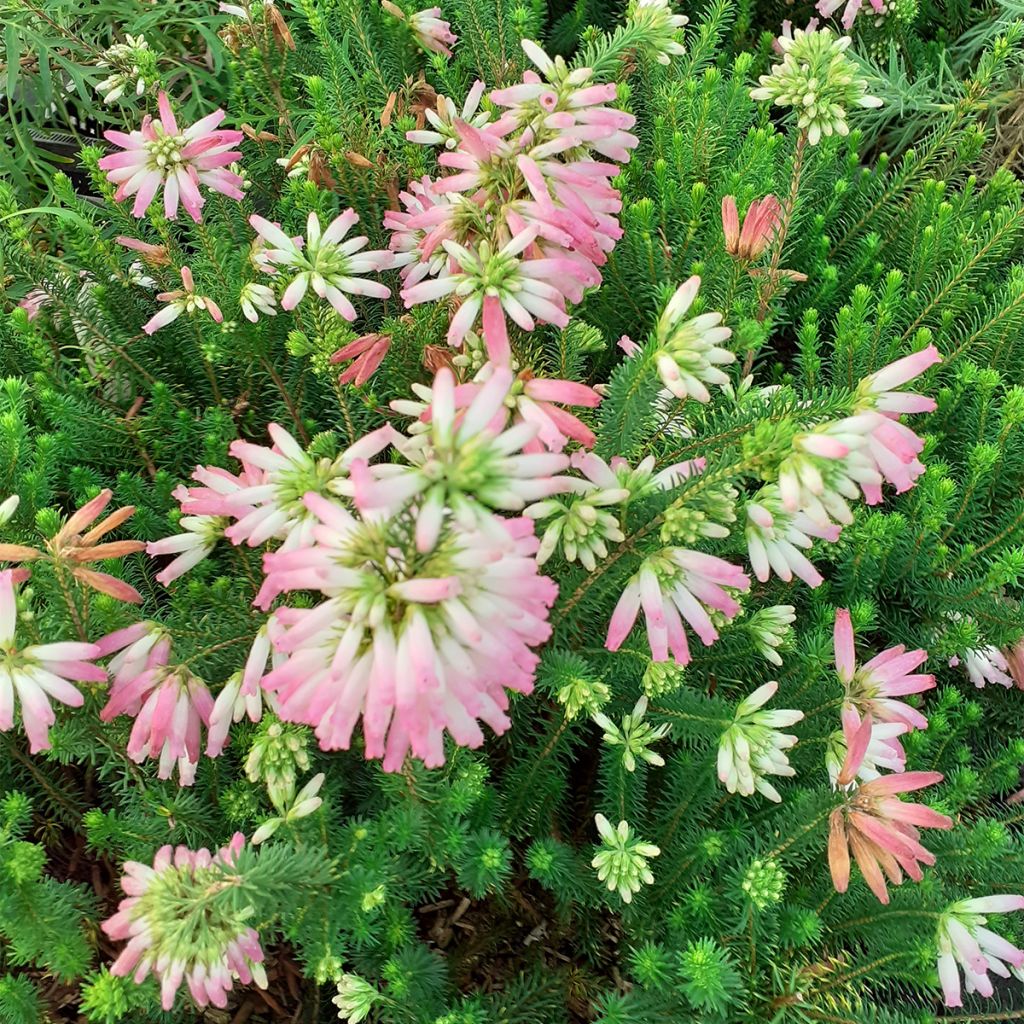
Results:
162 155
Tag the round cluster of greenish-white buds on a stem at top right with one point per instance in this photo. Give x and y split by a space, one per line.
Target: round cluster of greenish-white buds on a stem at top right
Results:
819 81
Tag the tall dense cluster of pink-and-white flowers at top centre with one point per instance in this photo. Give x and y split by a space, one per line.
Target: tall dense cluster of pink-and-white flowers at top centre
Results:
523 226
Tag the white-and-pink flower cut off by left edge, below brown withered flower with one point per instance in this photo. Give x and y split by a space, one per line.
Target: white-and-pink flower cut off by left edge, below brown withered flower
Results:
39 673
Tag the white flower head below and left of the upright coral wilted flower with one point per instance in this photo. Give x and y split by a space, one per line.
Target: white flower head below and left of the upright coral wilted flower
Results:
690 353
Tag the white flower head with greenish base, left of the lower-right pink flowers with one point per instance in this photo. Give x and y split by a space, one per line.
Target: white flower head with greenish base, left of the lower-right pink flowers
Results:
753 748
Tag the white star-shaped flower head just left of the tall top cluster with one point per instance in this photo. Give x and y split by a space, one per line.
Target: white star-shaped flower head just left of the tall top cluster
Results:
324 262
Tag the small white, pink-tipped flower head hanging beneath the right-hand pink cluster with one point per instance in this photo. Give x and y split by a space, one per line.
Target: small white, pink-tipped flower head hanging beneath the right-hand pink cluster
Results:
777 539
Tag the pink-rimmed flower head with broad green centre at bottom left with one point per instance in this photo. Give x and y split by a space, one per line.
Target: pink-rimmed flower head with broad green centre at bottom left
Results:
181 925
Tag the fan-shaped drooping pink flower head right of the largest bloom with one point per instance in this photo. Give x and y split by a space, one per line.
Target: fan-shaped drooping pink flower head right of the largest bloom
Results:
671 586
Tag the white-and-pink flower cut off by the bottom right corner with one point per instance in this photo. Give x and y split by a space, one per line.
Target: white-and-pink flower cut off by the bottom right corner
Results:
965 943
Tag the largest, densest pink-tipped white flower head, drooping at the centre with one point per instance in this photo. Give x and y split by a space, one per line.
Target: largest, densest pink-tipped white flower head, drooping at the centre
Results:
415 647
